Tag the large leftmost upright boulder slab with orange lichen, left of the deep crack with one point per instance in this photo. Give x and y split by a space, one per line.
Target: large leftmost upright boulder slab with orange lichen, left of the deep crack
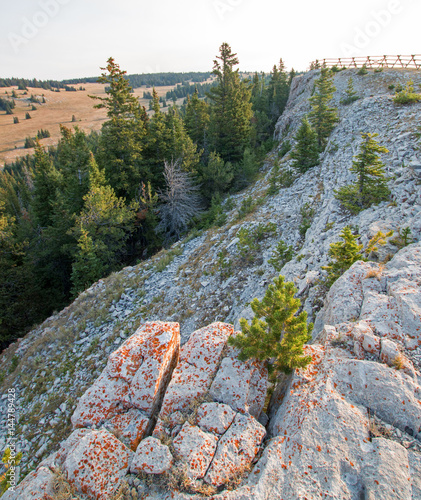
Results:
141 383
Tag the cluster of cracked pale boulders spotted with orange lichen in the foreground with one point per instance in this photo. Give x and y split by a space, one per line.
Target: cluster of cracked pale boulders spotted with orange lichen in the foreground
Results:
151 386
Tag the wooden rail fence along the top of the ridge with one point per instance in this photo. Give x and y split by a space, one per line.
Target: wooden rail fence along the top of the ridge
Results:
413 61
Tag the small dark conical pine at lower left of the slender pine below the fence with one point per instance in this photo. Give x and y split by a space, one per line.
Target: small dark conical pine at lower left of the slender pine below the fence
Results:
306 151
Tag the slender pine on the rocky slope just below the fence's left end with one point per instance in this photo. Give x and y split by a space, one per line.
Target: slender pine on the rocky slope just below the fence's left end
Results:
322 117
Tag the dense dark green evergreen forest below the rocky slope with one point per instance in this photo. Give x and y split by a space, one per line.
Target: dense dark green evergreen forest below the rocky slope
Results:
96 202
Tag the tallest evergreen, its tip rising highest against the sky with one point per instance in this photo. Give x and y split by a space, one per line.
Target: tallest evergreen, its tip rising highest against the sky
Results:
231 108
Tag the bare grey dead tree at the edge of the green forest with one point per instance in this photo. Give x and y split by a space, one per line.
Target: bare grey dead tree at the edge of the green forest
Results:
180 202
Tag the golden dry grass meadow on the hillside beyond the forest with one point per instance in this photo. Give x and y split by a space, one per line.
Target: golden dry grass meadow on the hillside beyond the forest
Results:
59 108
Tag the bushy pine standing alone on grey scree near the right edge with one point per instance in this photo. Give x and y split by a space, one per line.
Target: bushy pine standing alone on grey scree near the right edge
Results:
371 185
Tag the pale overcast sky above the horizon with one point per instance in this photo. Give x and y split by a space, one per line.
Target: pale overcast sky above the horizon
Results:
61 39
